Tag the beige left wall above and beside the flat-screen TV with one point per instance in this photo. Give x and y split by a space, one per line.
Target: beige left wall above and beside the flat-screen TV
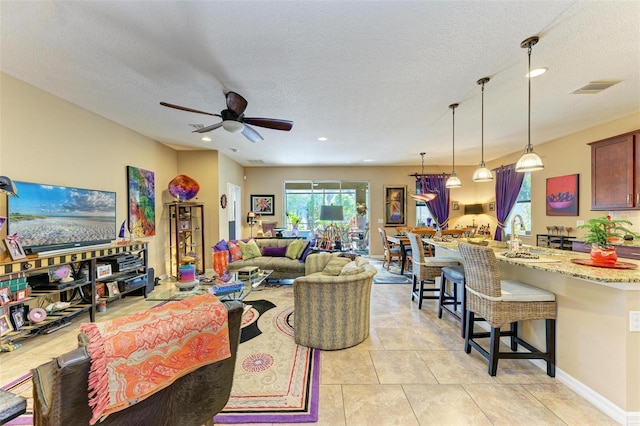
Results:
48 140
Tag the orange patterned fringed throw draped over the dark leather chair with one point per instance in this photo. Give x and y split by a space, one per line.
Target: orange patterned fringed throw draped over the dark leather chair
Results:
137 355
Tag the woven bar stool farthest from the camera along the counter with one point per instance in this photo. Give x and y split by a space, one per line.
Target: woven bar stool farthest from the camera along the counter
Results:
426 270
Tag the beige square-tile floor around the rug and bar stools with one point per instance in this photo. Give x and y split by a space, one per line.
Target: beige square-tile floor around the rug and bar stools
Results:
412 370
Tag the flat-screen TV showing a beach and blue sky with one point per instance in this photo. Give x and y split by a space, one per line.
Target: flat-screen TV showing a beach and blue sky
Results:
50 217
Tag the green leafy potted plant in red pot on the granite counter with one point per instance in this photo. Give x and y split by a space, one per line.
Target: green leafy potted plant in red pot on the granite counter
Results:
602 233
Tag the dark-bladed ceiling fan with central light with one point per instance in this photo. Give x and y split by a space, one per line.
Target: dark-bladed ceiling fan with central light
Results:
234 121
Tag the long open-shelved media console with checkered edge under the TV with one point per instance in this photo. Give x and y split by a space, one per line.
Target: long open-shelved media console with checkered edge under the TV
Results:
128 274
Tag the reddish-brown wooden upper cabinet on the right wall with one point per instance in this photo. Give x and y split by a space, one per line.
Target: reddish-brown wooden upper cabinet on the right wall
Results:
615 173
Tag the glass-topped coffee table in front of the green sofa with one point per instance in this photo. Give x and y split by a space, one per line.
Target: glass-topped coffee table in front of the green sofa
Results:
172 292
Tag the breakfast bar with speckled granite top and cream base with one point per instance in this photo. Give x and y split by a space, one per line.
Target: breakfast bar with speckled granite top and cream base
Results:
597 354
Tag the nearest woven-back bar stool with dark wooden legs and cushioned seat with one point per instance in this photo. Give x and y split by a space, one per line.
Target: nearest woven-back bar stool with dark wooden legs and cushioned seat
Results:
504 302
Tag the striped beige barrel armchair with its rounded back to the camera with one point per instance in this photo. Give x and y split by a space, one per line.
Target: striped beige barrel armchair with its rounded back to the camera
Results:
332 311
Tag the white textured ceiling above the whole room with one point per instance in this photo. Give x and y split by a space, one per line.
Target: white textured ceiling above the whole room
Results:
374 77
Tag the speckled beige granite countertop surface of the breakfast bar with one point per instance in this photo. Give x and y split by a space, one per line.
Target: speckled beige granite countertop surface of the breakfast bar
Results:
559 261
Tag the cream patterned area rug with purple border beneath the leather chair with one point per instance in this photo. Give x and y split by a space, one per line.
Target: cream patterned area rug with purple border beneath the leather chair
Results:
275 381
